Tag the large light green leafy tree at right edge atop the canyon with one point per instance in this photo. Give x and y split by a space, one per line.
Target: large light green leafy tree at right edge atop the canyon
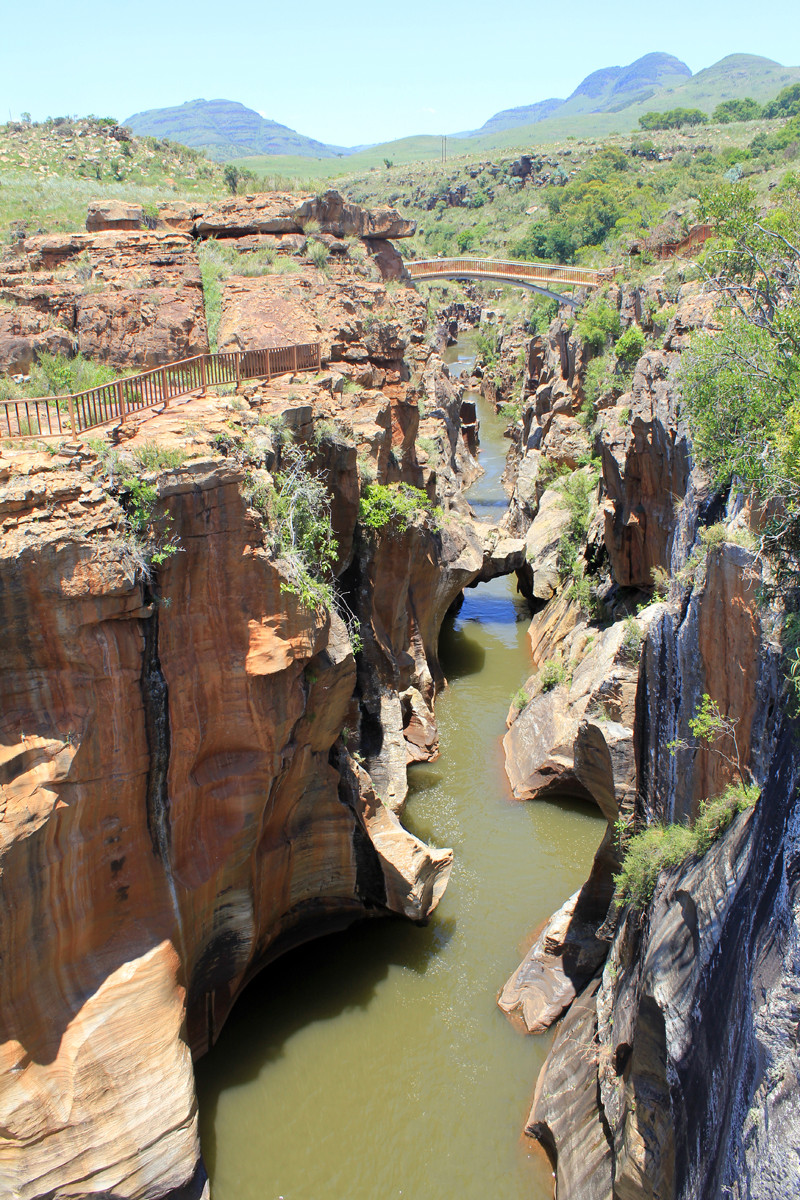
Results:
742 387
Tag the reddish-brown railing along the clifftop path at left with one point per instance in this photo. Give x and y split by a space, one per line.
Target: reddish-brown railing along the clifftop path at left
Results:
58 416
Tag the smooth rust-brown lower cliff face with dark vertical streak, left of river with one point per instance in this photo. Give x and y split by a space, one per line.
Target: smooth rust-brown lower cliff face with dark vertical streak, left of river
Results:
169 784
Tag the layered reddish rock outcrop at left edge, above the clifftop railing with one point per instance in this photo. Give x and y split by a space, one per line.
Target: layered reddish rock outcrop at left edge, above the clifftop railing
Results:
129 299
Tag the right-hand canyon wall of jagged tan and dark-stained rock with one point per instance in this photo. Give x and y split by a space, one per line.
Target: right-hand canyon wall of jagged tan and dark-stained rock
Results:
672 1073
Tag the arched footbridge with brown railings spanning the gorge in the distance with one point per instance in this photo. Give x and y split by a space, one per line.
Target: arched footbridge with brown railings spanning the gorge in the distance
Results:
542 278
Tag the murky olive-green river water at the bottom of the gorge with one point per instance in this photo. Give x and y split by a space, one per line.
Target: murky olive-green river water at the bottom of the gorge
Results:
375 1064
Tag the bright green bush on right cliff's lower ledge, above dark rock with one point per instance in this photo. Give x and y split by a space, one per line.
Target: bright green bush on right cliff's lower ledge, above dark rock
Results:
660 848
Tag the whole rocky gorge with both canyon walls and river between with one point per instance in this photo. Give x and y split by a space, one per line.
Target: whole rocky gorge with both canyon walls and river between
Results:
299 653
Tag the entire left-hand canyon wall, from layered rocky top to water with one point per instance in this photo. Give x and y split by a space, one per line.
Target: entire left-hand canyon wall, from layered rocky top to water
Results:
200 771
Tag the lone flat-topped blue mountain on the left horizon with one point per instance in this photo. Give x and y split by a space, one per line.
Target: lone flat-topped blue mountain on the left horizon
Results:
227 130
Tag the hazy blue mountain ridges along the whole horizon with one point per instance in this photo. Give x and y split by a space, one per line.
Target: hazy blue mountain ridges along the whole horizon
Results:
612 97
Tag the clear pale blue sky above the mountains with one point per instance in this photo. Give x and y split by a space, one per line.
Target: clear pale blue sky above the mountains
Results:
362 73
